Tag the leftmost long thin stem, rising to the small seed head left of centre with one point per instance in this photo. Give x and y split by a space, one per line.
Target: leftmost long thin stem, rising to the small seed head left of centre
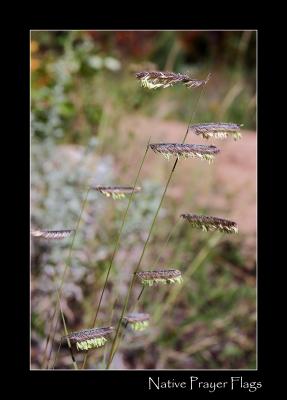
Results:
59 290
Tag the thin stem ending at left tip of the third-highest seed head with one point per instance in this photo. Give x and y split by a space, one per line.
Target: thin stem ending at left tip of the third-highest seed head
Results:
117 243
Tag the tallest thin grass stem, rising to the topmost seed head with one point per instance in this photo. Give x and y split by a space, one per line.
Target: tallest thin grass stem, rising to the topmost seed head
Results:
113 349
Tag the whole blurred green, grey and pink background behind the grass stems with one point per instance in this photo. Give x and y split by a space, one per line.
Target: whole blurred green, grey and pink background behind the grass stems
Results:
90 122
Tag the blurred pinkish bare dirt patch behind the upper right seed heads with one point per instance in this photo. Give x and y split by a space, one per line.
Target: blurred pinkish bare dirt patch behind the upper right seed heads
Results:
227 187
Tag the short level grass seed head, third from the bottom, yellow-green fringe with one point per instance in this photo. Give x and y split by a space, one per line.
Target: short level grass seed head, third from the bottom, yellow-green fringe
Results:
164 276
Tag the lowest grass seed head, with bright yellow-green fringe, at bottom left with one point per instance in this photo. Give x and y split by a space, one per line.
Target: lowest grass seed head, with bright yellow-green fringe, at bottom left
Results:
89 338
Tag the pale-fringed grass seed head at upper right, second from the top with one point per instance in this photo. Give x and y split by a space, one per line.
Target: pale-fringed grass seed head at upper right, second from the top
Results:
217 130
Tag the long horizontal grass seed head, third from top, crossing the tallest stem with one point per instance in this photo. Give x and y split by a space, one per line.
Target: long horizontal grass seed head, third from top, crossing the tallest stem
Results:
183 151
